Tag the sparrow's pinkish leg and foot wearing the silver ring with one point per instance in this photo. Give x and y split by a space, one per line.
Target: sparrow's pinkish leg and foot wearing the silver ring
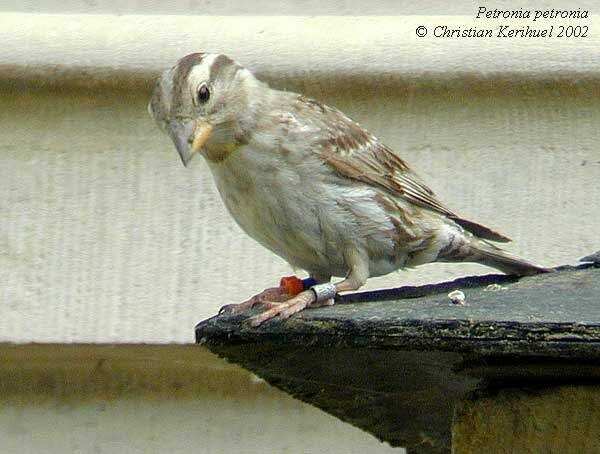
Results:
356 279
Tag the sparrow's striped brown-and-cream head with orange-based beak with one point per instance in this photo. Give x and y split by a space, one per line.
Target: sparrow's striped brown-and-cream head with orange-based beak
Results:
204 104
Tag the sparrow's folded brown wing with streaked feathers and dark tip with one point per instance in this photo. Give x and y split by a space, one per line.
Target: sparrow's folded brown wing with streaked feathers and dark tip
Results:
357 154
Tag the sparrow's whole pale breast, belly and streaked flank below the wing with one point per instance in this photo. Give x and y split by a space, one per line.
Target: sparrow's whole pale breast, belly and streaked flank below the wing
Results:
305 214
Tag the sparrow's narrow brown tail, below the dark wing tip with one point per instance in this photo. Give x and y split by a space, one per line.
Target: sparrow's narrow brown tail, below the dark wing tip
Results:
490 255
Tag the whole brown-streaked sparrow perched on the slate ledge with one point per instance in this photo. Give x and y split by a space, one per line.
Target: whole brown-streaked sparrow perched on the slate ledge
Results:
312 185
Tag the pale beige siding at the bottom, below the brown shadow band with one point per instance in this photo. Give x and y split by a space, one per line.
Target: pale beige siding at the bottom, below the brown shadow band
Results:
208 426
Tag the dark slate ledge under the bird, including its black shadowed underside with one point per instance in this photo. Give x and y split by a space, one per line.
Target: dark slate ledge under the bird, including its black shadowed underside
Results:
397 363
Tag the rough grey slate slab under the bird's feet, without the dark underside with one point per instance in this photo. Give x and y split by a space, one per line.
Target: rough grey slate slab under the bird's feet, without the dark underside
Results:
549 315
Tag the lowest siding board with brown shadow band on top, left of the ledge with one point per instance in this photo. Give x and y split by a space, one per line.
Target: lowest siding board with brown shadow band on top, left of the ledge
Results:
155 399
